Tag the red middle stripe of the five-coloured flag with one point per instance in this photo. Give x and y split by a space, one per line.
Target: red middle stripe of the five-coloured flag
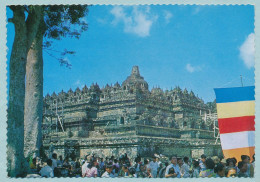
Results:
236 124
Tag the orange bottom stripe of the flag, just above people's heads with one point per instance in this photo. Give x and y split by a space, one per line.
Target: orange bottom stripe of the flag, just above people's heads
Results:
238 152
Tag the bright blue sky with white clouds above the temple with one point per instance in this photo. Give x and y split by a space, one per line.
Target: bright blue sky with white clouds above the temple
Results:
194 47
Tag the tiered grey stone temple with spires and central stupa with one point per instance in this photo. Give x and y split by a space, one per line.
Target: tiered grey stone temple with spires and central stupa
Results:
129 118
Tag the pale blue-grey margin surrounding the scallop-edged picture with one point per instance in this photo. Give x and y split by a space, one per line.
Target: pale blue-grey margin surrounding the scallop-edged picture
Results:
3 77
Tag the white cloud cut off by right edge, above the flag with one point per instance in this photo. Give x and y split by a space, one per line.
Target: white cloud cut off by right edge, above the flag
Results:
247 51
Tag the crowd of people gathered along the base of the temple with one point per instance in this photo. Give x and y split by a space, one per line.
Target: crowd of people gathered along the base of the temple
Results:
154 167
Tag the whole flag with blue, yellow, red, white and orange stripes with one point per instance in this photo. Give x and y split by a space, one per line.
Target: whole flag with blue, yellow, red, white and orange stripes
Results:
236 120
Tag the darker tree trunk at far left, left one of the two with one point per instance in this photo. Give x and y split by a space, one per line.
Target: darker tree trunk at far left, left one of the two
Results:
15 116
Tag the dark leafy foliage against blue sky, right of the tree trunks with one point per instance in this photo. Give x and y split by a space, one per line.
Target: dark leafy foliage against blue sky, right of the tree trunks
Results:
62 21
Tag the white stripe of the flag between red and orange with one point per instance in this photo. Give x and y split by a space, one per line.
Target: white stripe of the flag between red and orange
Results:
237 140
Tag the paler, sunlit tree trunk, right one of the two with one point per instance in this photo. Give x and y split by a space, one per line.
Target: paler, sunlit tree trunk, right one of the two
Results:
34 98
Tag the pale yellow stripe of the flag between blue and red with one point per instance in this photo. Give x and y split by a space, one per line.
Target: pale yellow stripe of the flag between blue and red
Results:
236 109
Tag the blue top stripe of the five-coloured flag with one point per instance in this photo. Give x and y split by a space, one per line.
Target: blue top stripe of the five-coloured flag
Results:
235 94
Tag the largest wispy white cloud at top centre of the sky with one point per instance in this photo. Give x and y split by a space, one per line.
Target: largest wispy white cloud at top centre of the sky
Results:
138 22
